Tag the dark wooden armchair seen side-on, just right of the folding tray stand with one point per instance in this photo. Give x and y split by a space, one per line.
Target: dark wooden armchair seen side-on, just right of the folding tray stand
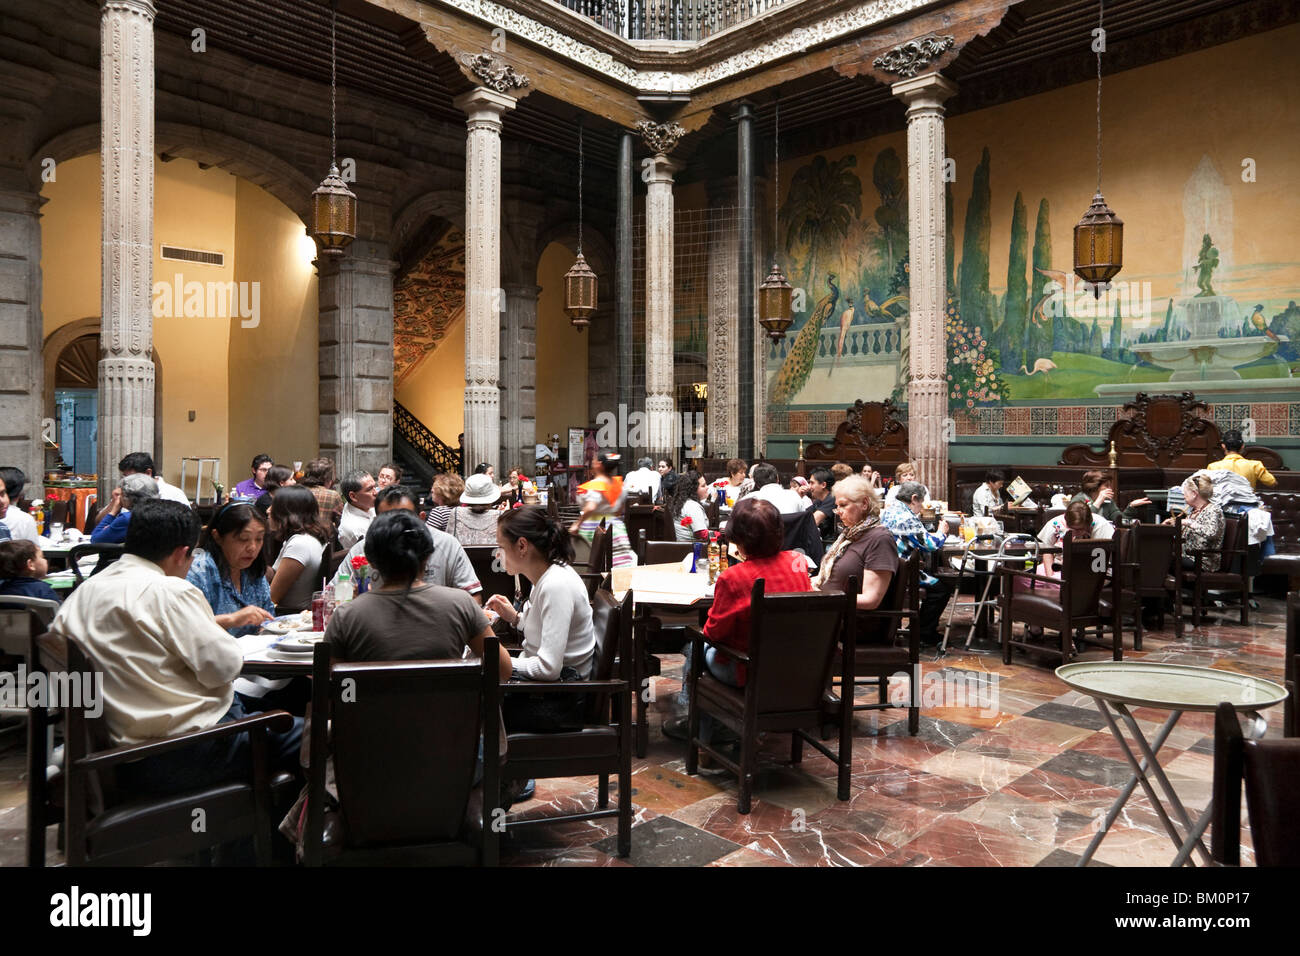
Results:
1085 578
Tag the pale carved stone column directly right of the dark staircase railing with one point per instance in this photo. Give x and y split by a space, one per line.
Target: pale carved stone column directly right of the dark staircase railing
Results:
483 274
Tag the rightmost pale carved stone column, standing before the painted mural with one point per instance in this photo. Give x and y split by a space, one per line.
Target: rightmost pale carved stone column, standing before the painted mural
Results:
928 393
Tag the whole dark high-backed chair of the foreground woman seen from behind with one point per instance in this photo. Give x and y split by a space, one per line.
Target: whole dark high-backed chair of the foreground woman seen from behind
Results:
405 741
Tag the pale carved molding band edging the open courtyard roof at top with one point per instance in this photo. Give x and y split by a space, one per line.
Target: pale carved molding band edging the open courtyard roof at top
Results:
761 54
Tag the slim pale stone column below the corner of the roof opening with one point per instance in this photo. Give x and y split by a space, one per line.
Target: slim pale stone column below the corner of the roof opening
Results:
660 222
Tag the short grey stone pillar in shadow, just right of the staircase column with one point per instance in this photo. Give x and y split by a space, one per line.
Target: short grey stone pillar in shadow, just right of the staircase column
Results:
519 380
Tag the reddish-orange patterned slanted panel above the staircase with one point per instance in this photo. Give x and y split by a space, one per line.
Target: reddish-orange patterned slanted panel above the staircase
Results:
427 302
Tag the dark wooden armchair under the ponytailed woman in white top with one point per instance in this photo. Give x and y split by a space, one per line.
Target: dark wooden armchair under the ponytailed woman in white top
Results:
604 745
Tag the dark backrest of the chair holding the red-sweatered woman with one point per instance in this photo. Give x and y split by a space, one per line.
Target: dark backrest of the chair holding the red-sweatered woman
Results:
794 643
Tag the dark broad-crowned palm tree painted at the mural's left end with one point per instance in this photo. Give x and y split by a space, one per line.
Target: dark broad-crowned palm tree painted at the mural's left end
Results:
821 206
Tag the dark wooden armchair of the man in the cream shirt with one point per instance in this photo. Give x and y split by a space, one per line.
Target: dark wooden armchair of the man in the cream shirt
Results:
107 827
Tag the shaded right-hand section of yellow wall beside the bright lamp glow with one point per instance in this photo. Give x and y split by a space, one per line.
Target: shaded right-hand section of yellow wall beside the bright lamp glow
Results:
274 366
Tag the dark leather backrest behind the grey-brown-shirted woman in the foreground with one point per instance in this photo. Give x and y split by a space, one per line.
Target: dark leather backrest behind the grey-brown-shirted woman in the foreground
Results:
405 739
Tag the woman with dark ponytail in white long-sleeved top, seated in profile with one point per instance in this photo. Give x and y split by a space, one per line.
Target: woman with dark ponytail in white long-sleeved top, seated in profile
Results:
556 622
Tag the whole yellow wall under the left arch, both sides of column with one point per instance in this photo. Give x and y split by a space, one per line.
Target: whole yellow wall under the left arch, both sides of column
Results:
213 211
